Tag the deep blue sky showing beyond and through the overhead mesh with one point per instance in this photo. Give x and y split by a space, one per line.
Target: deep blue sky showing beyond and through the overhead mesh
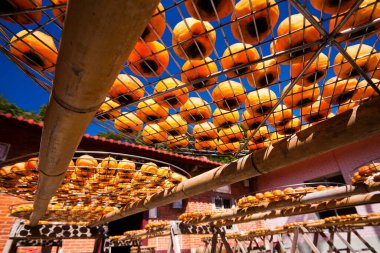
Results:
22 91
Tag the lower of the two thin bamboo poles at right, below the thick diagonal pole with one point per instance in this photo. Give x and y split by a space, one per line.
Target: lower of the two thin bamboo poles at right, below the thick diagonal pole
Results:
356 200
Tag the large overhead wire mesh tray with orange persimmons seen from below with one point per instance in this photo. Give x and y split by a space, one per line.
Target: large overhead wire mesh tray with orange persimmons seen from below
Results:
220 76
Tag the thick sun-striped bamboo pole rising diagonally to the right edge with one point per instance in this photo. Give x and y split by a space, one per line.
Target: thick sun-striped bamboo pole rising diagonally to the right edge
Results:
360 123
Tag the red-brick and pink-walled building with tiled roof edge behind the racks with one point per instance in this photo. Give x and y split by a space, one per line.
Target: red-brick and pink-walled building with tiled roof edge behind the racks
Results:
329 166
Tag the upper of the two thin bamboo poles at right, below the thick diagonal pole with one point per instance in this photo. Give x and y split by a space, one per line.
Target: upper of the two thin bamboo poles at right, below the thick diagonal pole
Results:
310 198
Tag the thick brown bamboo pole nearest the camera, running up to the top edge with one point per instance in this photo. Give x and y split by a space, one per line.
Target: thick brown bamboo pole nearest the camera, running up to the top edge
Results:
97 39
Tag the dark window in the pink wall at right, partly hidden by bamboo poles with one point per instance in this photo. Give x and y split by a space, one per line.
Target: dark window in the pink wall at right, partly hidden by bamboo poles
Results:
335 178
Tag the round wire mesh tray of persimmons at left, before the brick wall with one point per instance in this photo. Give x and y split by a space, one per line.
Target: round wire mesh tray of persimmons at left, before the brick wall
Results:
94 179
